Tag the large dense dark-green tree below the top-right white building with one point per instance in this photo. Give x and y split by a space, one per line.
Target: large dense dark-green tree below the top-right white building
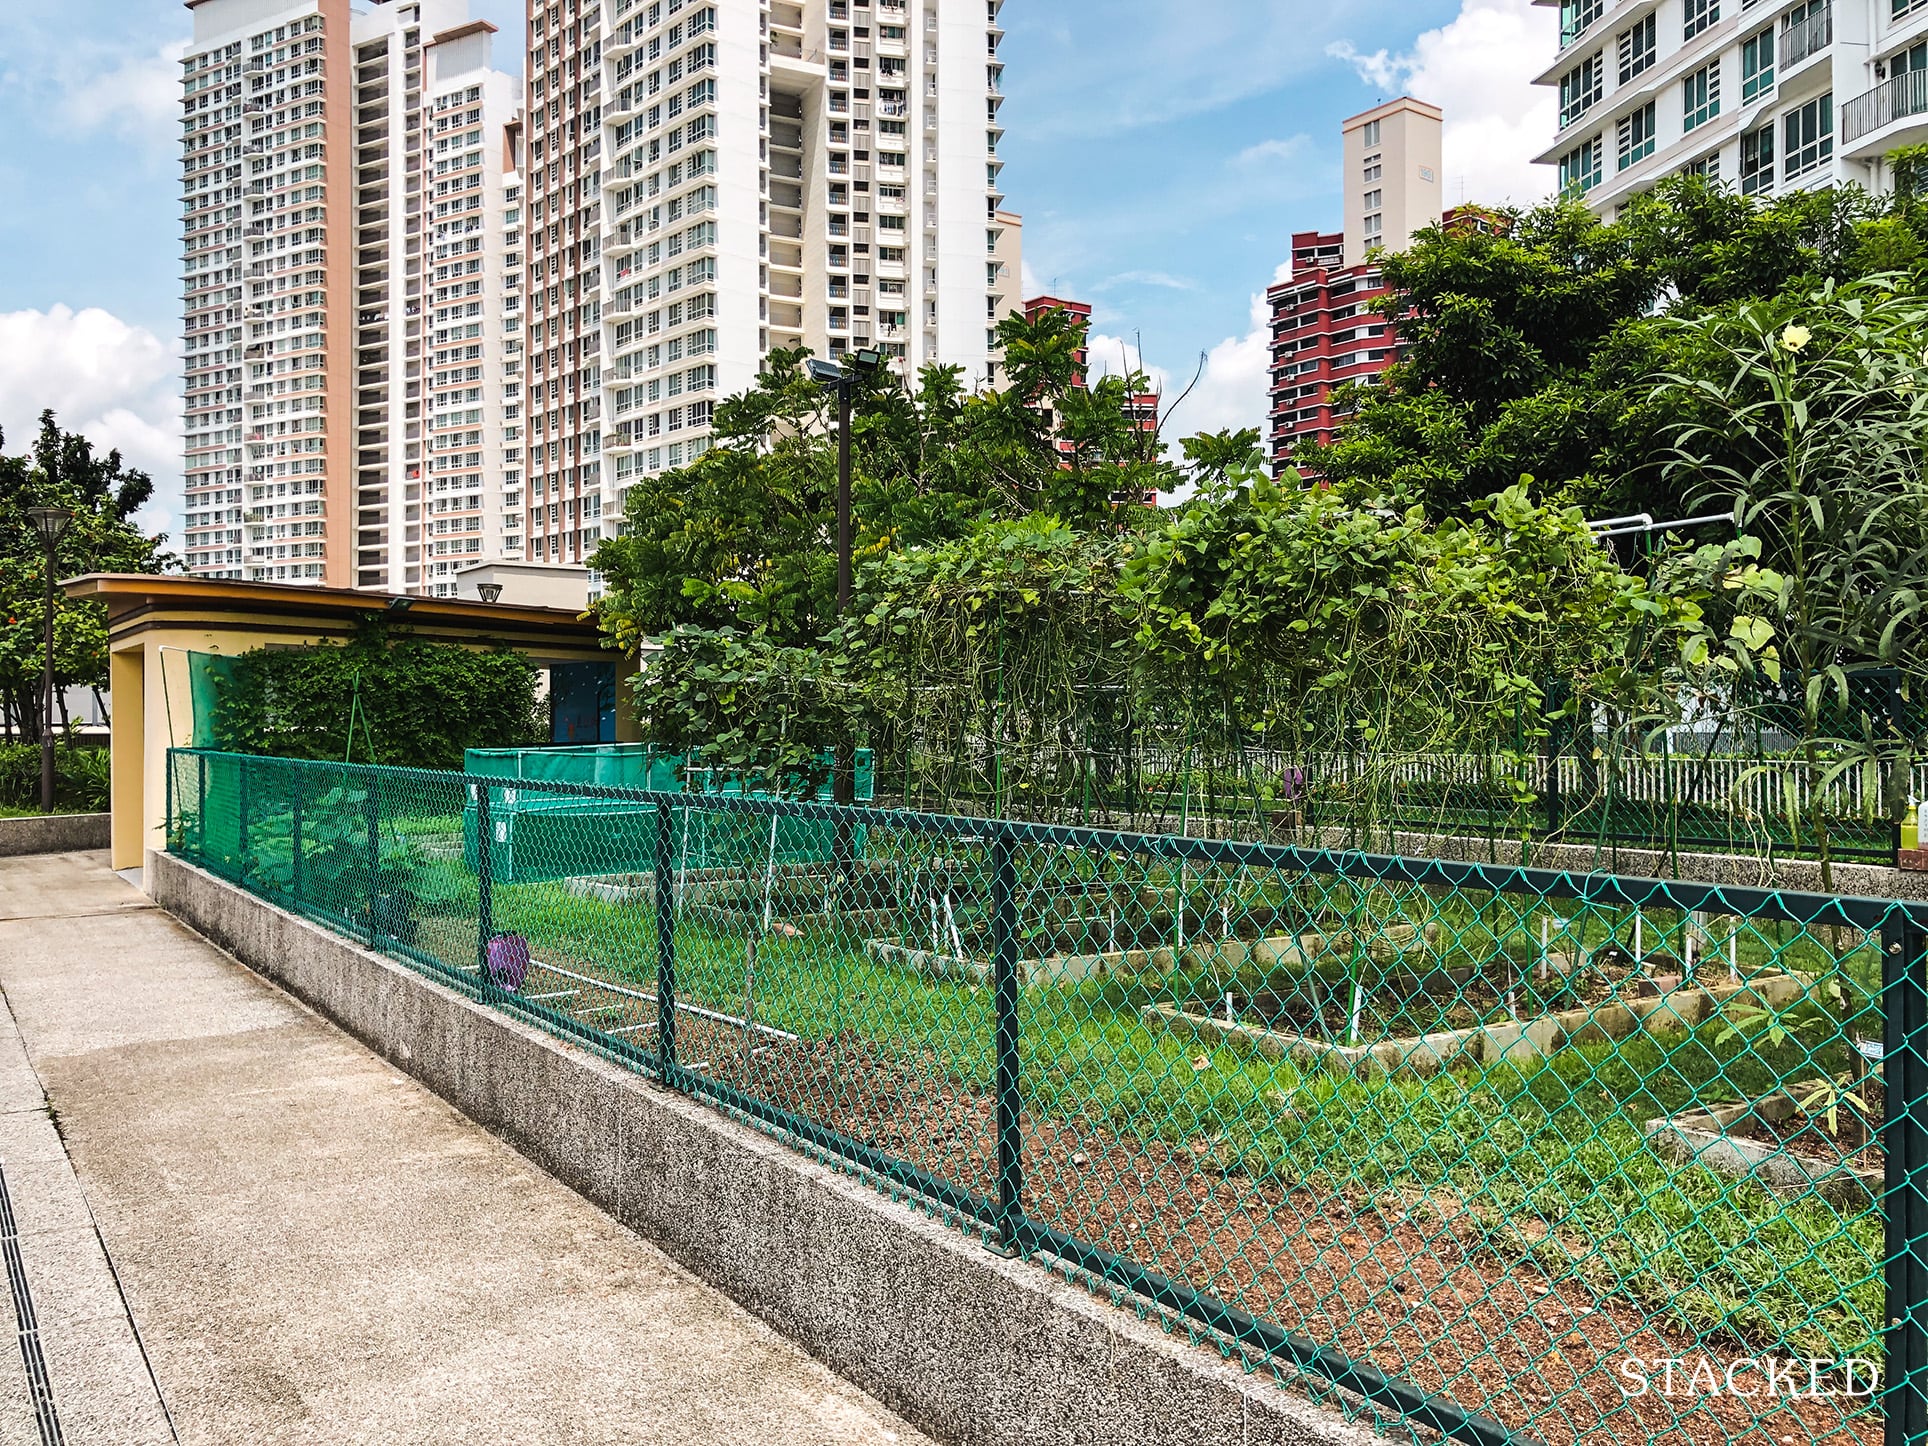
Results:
1530 350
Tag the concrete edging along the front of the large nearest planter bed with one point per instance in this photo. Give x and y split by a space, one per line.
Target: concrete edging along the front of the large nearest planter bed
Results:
1678 1007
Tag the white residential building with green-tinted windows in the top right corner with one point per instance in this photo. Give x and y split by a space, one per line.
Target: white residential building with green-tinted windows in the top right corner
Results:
1763 95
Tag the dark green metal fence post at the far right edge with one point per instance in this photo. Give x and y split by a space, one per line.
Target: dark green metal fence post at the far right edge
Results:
1906 1196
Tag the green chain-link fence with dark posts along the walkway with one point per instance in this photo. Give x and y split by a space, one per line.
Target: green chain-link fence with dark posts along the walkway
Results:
1495 1154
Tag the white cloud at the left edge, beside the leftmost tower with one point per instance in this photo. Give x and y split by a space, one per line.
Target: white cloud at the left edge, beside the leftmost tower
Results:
105 379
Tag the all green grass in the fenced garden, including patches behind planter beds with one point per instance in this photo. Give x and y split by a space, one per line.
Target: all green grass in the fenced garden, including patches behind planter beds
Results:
1549 1164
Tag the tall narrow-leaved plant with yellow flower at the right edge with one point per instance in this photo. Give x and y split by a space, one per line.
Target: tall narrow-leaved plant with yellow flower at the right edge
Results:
1809 427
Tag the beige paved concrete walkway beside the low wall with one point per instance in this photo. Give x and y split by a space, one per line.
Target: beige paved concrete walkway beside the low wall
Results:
242 1227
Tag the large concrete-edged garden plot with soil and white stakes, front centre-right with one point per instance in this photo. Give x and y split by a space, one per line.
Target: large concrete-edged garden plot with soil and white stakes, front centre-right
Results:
1395 1005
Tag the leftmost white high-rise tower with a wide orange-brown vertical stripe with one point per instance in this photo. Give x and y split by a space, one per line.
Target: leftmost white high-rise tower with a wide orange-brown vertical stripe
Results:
311 211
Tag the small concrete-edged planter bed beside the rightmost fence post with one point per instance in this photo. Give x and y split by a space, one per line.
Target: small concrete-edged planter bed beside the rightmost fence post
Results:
1794 1164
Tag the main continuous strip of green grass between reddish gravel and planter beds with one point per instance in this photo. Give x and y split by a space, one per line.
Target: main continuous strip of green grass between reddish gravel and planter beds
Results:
1559 1146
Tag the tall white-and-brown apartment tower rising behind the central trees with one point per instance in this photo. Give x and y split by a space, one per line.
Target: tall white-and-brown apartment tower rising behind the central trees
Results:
712 180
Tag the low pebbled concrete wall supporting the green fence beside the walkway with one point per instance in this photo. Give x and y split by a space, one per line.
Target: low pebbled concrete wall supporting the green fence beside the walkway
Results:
963 1343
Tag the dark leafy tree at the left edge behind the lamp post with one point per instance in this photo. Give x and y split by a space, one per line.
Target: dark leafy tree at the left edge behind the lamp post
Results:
103 495
